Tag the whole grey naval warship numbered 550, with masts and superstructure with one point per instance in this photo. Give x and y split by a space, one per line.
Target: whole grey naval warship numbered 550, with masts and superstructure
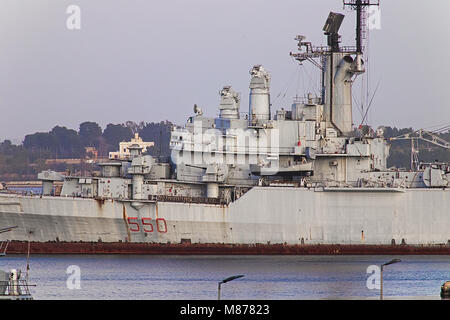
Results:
300 180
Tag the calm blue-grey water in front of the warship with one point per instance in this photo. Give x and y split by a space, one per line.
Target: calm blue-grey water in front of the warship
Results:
196 277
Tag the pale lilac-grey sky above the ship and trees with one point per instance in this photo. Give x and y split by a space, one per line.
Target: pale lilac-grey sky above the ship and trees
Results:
152 60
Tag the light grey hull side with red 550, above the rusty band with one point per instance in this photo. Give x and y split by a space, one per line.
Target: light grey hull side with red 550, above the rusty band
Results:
267 216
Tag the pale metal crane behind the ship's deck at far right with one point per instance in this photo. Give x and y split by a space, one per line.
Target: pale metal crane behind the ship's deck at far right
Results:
424 135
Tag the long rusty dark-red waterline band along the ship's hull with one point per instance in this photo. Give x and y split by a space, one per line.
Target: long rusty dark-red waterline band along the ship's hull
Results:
20 247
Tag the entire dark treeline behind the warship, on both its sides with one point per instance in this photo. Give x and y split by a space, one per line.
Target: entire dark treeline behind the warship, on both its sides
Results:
23 162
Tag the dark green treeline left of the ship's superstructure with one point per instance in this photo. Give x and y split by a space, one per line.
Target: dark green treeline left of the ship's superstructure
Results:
26 160
